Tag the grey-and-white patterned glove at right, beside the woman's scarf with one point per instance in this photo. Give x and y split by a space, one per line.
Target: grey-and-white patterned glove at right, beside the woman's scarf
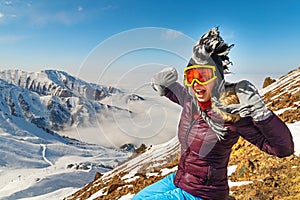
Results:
251 103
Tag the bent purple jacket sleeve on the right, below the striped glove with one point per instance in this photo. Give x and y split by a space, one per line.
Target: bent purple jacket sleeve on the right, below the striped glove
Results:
270 135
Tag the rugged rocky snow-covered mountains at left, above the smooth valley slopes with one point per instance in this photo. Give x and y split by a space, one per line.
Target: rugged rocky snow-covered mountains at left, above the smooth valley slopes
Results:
52 99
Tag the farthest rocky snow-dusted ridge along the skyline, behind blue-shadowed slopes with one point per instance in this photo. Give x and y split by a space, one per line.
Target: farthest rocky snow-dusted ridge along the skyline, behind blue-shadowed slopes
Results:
57 83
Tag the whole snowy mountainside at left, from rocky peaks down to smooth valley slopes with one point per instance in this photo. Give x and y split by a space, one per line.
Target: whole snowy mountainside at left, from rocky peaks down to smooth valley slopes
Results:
35 109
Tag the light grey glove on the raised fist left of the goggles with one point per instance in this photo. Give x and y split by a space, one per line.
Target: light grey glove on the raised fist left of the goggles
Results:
163 79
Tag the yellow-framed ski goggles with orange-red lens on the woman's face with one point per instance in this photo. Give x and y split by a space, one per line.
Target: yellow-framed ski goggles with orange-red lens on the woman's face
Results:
202 74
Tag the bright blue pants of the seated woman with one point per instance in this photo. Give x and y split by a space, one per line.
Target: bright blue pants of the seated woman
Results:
163 190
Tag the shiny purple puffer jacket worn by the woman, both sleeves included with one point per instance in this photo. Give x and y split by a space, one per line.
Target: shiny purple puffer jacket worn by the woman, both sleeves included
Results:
202 169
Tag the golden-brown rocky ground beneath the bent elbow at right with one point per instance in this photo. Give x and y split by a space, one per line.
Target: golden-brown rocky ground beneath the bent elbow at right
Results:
273 178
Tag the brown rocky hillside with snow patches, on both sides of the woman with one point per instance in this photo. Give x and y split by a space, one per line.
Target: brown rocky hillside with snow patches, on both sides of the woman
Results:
255 175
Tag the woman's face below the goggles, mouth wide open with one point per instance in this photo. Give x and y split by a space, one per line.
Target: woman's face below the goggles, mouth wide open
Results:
203 92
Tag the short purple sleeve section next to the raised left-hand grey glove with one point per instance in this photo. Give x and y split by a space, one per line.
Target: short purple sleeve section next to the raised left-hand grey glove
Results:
176 93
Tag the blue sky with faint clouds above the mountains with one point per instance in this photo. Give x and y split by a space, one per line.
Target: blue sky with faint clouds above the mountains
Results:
62 34
